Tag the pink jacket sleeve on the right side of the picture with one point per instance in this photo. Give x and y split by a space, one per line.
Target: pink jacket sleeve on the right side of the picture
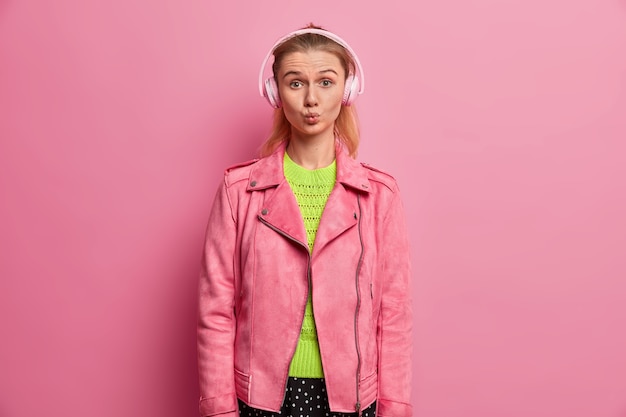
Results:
395 319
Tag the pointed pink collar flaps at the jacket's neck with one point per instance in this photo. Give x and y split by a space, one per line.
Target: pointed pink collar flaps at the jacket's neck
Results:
268 172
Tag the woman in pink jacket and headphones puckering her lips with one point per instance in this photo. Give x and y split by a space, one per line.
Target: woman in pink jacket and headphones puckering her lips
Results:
304 296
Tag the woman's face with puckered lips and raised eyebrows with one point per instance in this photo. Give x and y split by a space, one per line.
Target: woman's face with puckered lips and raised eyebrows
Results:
311 86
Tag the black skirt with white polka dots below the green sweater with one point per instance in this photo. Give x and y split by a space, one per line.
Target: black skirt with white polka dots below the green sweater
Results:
305 397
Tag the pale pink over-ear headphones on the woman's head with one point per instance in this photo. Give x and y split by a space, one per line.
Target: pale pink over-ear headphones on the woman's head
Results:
355 83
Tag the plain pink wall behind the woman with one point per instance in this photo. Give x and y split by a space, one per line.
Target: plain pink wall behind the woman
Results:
503 121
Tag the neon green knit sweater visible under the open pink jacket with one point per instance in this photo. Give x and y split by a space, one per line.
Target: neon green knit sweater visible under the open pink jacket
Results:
311 188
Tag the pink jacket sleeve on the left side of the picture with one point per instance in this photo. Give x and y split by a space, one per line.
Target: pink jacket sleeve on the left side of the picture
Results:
216 318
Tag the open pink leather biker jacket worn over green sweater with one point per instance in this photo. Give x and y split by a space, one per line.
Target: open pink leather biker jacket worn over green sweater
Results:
257 274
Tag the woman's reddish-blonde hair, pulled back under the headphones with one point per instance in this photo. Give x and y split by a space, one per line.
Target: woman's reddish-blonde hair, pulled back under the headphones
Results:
346 125
